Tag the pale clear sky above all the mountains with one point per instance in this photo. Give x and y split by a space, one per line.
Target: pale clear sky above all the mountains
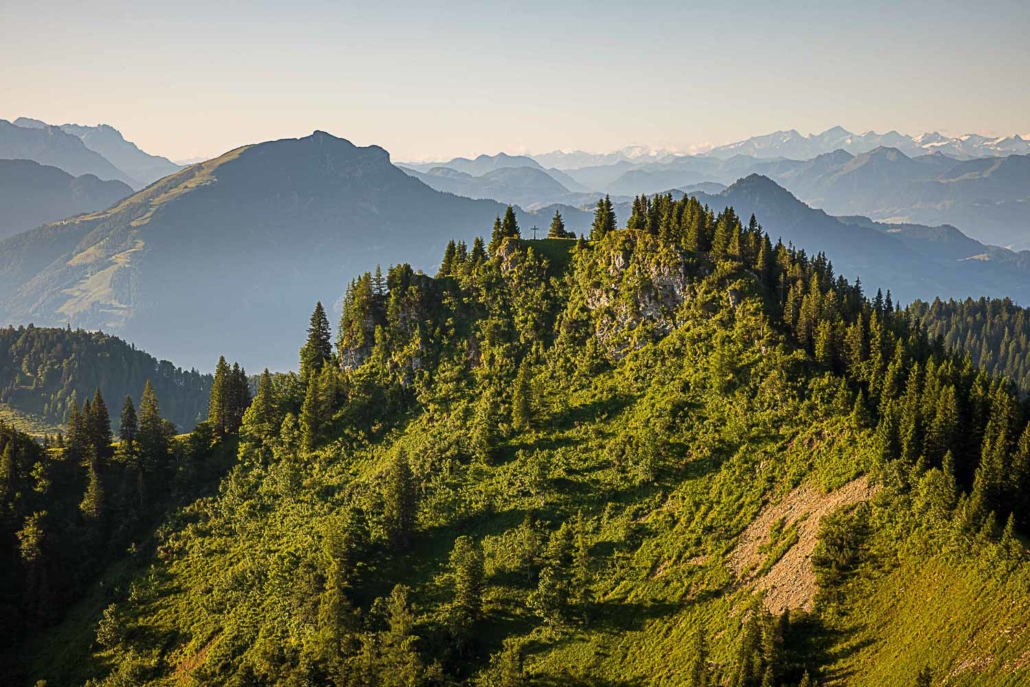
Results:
437 80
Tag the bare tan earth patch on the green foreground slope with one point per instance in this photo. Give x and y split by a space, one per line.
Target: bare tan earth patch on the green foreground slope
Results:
791 585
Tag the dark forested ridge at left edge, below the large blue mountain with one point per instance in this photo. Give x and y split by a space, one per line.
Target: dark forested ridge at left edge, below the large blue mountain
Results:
46 371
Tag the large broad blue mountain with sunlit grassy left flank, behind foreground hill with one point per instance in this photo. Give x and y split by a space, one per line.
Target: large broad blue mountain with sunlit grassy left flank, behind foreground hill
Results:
200 263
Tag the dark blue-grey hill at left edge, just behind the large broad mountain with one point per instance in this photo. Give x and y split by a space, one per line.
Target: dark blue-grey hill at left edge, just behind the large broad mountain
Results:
32 195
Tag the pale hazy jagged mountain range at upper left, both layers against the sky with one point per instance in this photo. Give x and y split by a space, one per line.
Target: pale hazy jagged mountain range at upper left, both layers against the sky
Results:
125 162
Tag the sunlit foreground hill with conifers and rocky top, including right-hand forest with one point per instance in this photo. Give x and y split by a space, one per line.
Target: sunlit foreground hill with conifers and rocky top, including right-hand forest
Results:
542 466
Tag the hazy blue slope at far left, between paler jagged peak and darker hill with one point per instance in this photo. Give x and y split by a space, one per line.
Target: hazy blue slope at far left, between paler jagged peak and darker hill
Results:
53 147
